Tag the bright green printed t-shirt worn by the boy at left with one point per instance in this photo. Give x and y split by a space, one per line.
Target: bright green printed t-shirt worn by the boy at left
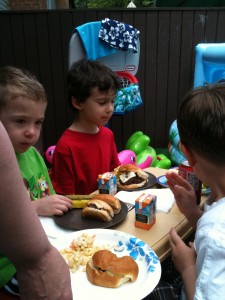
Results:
37 181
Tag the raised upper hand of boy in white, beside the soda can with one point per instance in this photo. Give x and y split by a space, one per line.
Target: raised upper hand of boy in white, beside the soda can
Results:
185 197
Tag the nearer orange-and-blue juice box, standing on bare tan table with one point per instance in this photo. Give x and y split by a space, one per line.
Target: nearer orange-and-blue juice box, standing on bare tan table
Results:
145 211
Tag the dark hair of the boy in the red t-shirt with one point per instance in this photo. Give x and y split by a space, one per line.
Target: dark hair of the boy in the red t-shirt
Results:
84 75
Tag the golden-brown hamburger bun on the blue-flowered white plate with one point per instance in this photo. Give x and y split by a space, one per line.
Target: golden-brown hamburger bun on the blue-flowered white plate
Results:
108 270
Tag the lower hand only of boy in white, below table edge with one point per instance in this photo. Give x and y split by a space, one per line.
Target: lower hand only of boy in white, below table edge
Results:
184 257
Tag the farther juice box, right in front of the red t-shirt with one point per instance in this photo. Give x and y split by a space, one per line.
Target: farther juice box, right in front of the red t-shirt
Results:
107 183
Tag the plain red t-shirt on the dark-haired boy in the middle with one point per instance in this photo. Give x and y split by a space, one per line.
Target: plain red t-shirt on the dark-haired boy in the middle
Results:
79 158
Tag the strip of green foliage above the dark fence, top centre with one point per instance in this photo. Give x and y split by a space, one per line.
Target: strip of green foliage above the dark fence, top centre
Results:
111 3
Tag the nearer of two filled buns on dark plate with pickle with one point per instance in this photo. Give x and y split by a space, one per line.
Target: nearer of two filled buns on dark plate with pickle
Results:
98 209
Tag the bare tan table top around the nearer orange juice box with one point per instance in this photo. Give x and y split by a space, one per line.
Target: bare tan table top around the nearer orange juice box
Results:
158 235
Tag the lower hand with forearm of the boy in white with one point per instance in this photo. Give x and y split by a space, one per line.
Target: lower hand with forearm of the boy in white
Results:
184 259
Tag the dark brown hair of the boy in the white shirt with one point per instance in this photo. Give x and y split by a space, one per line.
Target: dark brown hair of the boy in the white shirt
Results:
201 122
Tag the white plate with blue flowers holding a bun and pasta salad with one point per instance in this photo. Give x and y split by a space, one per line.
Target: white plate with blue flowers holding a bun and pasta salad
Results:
121 244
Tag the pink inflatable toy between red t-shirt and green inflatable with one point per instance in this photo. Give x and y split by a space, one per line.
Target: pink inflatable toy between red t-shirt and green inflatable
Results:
129 157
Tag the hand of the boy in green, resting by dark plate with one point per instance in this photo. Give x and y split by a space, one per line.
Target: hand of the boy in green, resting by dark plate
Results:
52 205
